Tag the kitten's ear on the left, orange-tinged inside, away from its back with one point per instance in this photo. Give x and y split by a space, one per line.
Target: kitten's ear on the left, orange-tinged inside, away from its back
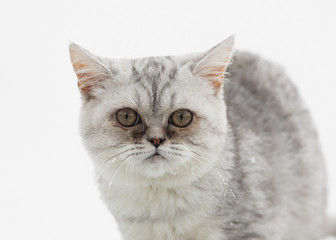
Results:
90 70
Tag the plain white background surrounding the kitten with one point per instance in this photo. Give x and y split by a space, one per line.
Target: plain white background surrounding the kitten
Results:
47 188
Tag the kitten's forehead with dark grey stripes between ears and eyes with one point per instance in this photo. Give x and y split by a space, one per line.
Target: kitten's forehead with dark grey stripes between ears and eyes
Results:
155 84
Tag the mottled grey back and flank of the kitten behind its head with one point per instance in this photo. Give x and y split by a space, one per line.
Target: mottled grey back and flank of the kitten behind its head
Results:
277 151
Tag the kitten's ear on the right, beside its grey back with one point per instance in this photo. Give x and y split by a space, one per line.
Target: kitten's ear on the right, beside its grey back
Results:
213 66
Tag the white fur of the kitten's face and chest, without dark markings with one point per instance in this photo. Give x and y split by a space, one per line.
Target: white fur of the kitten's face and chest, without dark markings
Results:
163 199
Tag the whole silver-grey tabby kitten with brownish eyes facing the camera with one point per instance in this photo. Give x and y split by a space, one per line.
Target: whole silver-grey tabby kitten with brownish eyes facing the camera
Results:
182 155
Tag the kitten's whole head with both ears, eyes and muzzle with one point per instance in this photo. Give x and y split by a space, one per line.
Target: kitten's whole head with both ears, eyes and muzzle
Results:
153 120
